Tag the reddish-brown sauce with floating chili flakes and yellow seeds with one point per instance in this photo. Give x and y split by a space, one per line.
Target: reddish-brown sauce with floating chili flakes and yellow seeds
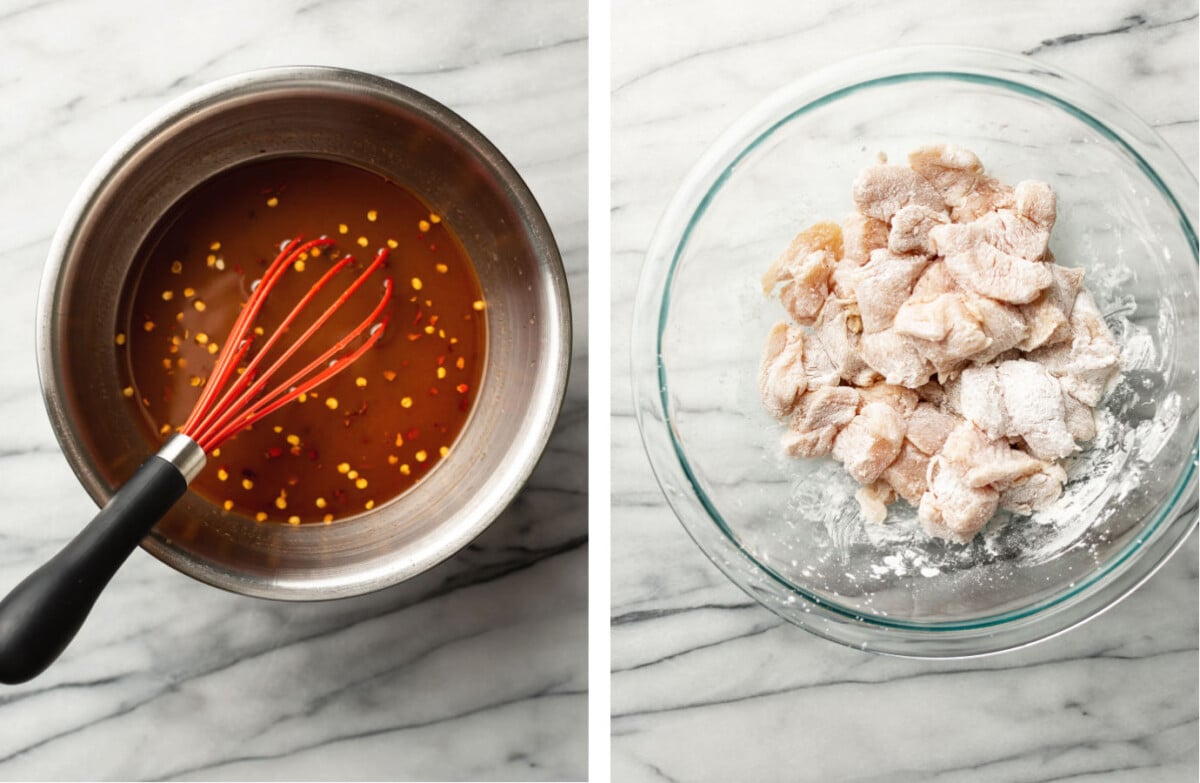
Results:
371 433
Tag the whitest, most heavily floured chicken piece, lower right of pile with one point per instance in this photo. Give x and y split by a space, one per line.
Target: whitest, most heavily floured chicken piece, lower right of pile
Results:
1036 413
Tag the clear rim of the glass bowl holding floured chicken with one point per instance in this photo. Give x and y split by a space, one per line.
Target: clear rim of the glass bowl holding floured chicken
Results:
994 633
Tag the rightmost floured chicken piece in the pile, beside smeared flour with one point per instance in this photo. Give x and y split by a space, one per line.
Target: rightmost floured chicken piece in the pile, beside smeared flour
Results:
1085 364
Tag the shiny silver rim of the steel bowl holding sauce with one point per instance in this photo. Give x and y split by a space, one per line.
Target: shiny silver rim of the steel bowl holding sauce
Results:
338 81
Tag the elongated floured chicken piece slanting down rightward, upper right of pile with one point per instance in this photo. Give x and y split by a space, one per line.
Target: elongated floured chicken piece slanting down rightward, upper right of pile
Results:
981 267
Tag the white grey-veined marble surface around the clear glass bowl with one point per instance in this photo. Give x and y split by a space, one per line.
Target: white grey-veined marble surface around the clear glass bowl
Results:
709 686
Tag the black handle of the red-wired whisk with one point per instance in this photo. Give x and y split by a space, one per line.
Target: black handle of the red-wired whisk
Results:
45 612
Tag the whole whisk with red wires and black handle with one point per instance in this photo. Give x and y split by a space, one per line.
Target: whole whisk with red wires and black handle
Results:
44 613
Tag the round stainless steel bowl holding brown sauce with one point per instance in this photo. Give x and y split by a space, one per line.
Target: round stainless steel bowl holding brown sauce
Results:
380 127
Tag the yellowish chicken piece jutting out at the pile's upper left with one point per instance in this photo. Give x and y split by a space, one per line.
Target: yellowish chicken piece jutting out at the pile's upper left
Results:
803 271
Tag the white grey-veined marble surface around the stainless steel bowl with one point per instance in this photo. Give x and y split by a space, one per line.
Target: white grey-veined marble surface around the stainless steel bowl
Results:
476 671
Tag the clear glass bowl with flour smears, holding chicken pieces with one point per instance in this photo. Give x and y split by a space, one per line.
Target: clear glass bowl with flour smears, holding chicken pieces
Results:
789 531
